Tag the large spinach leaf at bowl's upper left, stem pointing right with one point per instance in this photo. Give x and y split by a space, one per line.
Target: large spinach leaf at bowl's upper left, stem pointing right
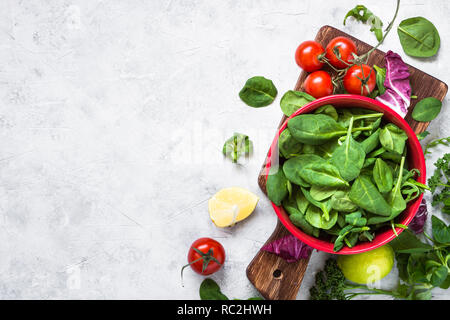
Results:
315 129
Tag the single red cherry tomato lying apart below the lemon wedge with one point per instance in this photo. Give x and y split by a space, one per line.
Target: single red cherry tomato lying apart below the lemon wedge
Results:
206 256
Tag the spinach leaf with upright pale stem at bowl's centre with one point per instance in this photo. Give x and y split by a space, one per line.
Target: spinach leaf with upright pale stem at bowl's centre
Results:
349 157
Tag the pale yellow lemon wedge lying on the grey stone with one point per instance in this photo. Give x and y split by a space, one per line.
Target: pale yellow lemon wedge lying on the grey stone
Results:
231 205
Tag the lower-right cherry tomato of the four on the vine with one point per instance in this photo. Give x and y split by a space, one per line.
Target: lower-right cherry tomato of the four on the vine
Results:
353 85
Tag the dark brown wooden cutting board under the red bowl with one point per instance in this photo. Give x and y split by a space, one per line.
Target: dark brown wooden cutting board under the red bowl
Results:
272 276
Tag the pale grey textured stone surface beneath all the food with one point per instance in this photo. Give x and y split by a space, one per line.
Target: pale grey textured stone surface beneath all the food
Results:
112 119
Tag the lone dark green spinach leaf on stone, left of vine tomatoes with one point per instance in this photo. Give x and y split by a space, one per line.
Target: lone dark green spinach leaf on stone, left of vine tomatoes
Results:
258 92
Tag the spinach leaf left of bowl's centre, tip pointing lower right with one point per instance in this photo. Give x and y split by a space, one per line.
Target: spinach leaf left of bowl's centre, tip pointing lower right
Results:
321 173
